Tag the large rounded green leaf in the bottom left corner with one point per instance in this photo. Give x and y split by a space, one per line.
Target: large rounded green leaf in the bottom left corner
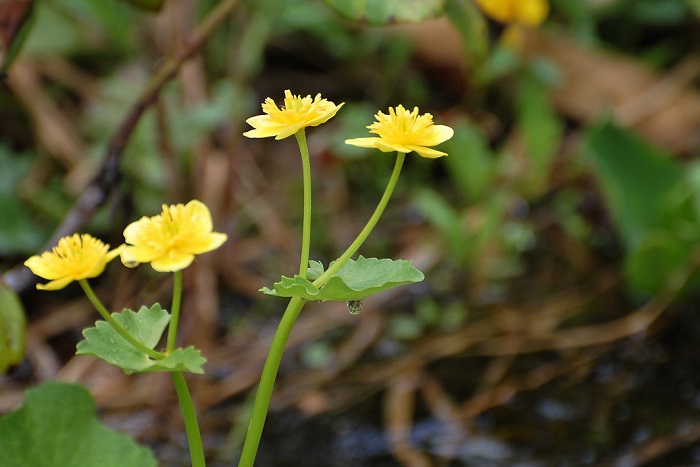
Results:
57 426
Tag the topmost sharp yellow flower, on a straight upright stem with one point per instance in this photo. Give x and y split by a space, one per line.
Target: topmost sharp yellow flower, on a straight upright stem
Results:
296 113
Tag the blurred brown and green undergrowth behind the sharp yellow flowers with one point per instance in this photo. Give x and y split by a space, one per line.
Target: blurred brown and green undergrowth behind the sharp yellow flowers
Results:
558 323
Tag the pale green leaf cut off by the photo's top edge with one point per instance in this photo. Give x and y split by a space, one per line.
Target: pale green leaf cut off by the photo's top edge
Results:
380 12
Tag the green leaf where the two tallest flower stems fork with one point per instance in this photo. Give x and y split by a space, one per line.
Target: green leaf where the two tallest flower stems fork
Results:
354 281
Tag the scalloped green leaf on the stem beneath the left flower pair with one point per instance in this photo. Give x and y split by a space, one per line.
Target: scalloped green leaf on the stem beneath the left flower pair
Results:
147 326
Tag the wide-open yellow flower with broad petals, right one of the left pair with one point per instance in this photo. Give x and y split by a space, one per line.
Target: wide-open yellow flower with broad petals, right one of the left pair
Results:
170 240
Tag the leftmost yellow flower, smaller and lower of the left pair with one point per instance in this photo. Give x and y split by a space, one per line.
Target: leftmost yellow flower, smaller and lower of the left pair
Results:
76 257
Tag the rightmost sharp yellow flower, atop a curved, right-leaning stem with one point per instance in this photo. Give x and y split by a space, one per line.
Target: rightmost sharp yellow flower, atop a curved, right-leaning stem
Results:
405 131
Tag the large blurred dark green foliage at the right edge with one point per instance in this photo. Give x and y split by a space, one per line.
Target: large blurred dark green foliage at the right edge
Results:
652 201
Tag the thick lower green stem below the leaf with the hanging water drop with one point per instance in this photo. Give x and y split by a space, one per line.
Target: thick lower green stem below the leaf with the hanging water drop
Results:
267 382
